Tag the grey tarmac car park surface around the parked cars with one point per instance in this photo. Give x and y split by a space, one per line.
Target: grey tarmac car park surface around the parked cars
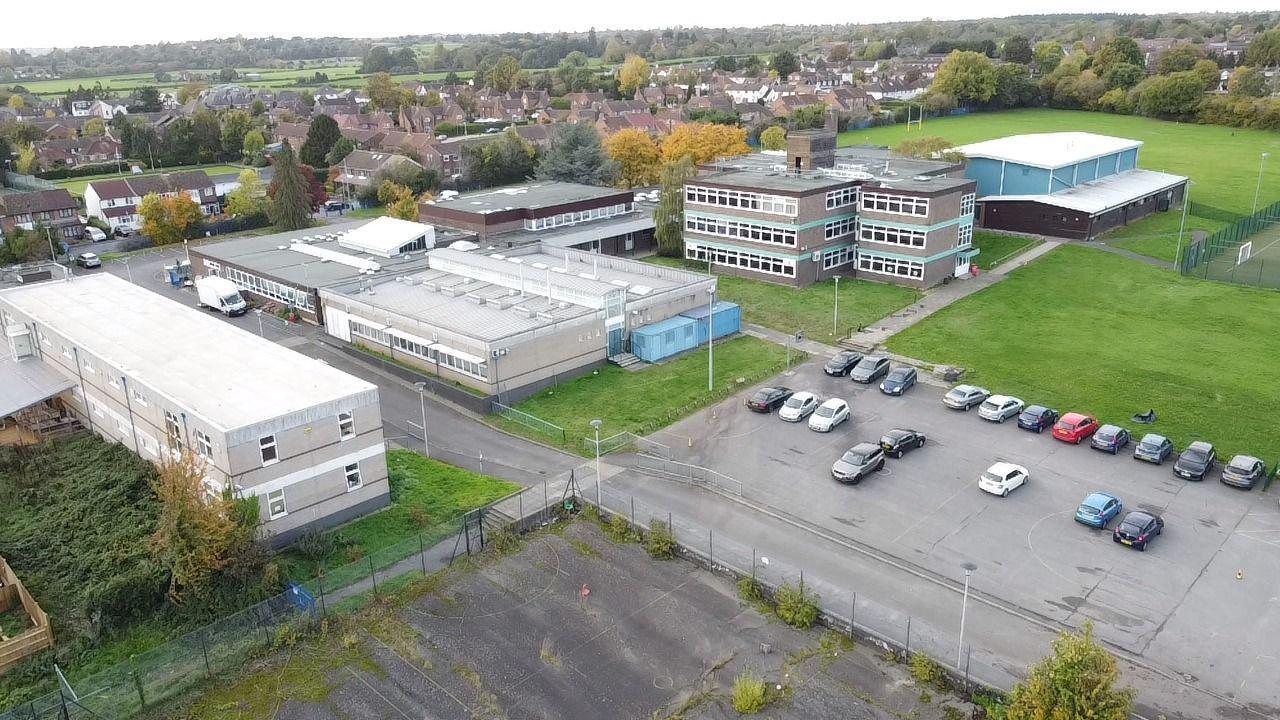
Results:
926 509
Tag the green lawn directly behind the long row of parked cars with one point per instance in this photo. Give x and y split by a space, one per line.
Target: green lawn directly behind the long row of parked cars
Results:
1201 354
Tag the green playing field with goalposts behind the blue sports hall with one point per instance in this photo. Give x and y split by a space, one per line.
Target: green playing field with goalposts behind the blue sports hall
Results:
1222 162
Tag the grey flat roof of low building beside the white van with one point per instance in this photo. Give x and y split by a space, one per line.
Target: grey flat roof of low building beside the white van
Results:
272 256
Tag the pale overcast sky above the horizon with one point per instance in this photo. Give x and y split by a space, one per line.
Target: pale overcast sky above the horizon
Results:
90 22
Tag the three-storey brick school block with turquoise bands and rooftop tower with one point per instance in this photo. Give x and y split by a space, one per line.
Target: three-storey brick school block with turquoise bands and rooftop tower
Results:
816 212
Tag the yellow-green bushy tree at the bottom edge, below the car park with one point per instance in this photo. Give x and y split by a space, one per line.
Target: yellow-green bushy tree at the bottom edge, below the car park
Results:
1078 681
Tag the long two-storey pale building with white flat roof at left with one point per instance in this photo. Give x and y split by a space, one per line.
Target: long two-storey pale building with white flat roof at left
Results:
166 380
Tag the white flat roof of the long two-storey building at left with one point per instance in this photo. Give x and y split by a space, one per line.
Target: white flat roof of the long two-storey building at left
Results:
230 377
